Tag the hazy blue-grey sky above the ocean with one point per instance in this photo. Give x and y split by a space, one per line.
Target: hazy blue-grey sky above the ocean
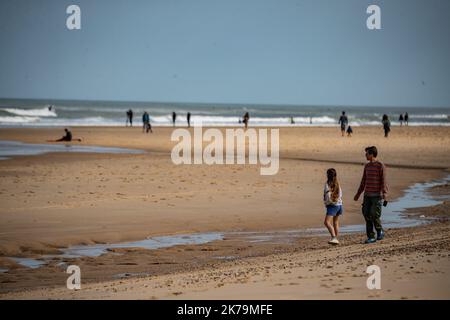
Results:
245 51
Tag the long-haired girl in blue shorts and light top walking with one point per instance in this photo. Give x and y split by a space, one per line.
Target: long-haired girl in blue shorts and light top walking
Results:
332 198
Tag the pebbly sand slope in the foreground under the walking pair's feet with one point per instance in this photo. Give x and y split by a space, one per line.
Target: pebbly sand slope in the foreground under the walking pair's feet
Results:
414 264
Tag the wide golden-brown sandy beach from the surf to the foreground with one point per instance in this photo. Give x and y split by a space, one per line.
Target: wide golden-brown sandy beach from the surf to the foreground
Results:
57 200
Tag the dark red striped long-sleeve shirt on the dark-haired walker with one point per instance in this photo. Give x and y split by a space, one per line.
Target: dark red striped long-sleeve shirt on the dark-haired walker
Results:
373 181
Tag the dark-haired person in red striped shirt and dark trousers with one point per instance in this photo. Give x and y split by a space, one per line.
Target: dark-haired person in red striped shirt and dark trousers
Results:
374 186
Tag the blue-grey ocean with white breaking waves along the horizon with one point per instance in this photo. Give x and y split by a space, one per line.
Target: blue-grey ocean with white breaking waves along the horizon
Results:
36 113
